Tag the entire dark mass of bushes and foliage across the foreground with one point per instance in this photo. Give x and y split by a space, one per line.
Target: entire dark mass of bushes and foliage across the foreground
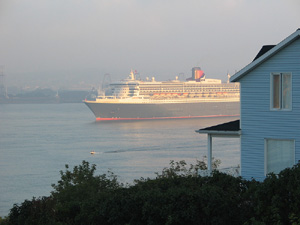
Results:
178 195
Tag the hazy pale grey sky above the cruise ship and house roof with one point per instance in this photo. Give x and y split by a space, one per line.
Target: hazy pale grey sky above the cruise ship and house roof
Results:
64 42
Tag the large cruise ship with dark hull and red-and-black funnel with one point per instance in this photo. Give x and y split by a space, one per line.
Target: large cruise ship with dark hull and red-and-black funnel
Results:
136 99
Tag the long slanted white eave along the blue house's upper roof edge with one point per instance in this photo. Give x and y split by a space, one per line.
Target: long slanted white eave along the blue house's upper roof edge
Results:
265 56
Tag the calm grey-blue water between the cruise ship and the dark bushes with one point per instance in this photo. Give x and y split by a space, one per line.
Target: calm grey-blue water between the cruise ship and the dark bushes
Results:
37 140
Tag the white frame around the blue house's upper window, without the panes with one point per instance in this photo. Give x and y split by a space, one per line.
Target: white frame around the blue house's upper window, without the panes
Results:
280 108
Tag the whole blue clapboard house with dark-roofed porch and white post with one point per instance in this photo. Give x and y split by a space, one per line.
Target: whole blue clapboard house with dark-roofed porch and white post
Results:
269 125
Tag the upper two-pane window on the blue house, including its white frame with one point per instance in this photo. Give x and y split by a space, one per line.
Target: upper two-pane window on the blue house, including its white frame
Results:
281 91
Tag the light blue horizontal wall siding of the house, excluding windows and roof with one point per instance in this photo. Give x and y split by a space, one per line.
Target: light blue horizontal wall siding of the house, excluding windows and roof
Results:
258 121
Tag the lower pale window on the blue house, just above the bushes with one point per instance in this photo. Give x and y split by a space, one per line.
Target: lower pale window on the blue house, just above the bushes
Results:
279 154
